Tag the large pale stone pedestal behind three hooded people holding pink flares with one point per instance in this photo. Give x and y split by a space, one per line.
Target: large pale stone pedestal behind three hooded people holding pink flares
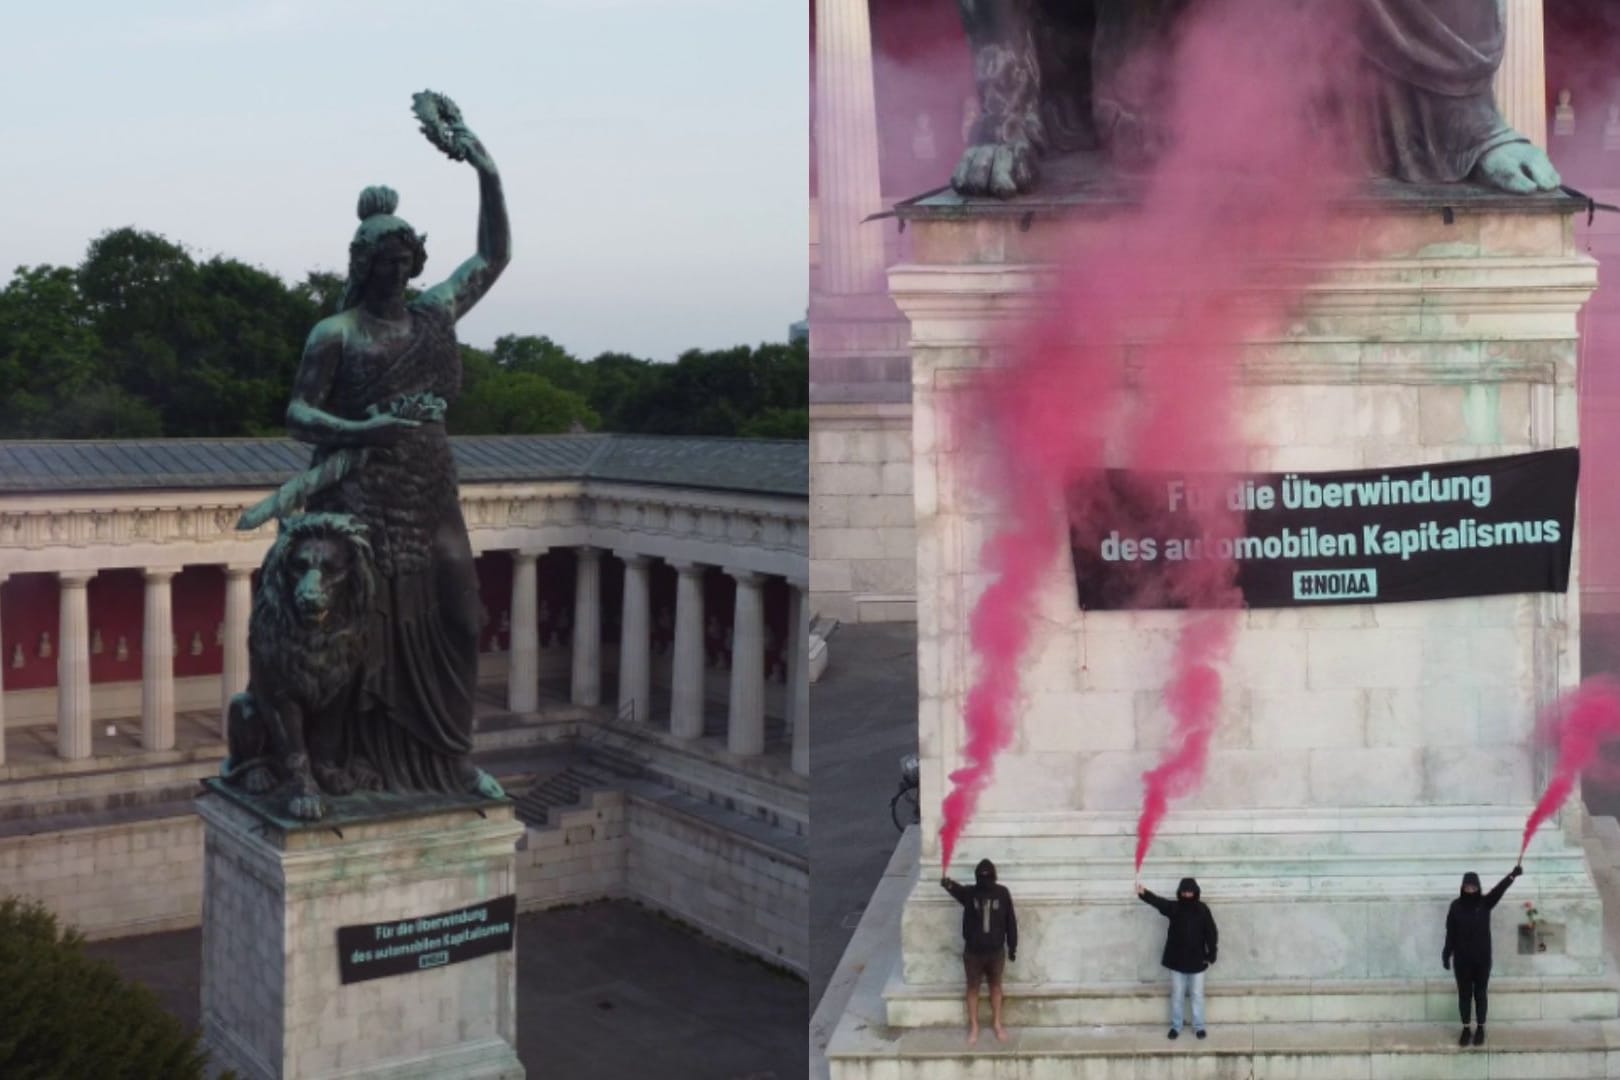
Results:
1366 755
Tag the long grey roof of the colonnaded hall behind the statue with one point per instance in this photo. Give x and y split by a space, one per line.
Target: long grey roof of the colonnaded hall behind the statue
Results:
765 467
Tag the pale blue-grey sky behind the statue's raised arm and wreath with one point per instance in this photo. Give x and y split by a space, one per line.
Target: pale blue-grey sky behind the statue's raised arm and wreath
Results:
654 151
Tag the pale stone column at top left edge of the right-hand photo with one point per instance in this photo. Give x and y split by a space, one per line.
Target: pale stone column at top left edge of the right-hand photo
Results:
846 119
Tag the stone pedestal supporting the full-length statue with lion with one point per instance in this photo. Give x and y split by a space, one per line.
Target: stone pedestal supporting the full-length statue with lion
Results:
275 896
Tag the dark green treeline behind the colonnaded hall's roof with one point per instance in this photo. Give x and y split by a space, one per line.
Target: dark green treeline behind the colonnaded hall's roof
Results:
143 339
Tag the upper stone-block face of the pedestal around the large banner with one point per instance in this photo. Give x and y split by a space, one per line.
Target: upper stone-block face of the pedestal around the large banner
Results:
1436 344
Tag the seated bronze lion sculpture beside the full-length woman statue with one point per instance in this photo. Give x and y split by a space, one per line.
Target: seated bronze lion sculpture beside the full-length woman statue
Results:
305 650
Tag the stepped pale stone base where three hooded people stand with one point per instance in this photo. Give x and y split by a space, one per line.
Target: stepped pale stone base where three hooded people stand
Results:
1362 906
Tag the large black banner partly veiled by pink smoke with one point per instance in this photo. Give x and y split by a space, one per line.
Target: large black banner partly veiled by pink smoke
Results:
1366 537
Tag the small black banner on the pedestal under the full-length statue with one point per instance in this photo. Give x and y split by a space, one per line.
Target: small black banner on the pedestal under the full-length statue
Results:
432 942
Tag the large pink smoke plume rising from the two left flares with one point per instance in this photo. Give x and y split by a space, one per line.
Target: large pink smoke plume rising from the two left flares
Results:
1247 182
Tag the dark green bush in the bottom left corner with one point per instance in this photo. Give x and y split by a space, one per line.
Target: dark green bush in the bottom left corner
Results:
66 1014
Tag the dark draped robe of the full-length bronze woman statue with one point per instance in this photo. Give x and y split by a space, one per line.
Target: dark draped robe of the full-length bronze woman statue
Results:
414 712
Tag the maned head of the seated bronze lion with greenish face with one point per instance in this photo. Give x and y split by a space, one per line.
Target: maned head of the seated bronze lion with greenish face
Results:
322 569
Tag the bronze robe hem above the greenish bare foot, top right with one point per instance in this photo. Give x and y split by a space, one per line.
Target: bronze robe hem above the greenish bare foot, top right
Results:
1435 113
